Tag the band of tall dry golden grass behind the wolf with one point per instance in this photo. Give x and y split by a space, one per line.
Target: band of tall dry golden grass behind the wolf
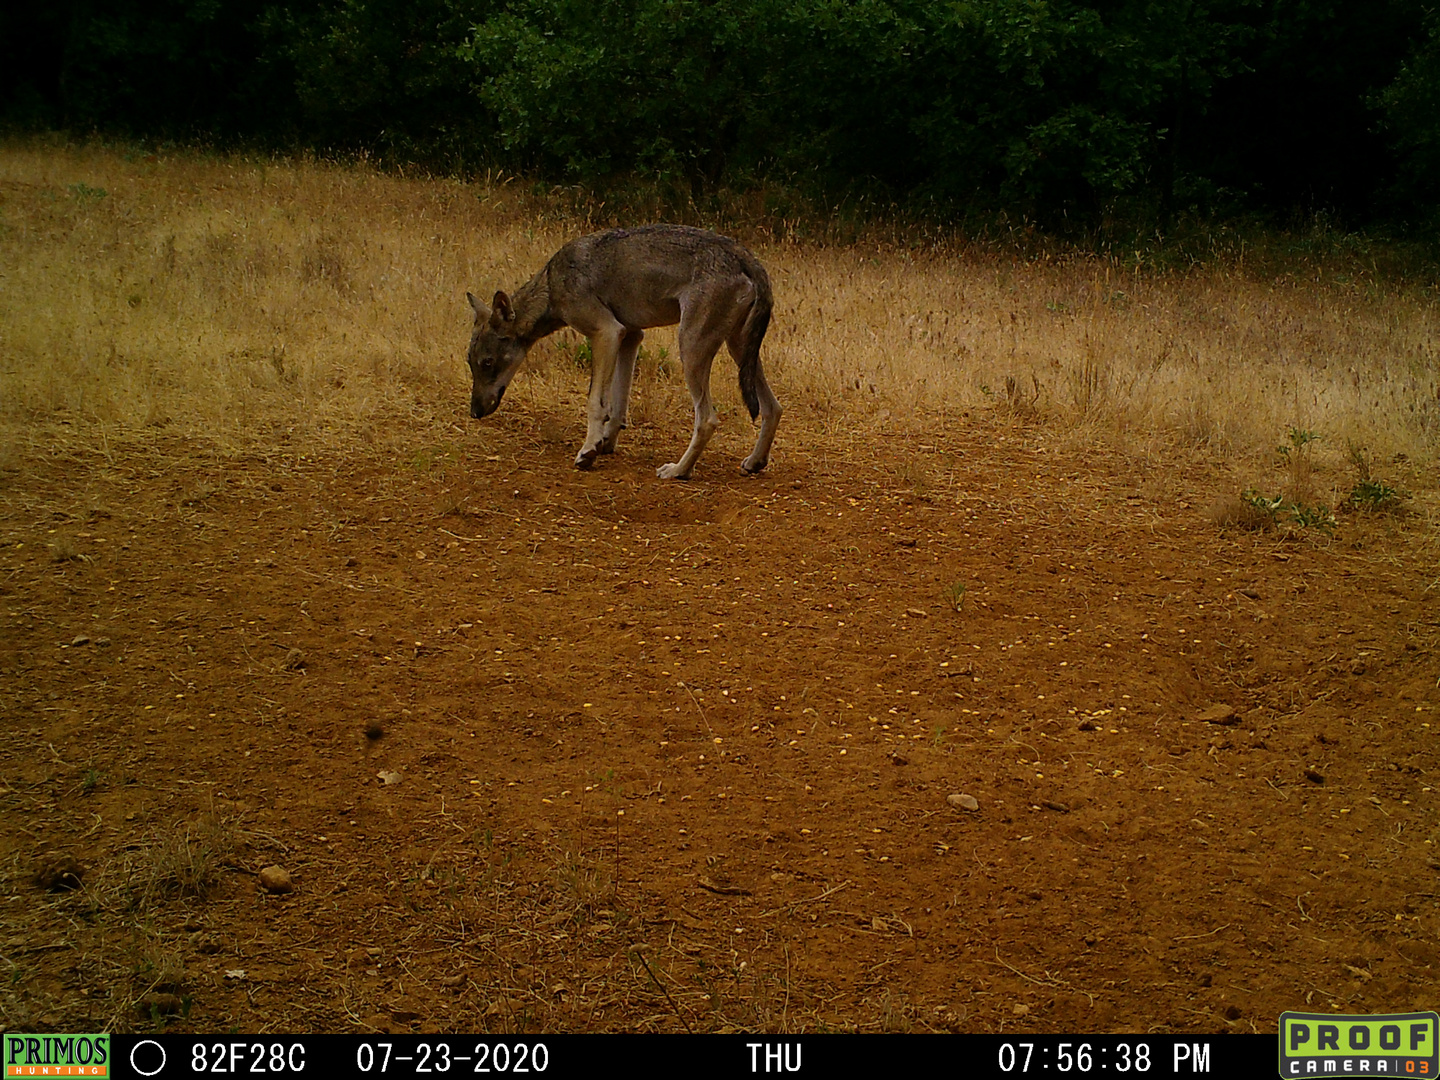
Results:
230 296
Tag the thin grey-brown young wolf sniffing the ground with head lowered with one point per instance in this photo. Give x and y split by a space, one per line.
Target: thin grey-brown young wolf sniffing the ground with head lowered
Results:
613 287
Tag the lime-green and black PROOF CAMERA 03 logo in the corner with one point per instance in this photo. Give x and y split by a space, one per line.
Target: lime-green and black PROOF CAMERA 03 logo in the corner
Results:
1328 1045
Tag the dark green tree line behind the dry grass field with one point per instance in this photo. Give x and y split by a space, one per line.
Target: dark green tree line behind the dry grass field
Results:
1055 110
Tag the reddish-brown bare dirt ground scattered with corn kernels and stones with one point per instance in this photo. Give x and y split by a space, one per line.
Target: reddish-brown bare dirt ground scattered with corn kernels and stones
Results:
557 751
